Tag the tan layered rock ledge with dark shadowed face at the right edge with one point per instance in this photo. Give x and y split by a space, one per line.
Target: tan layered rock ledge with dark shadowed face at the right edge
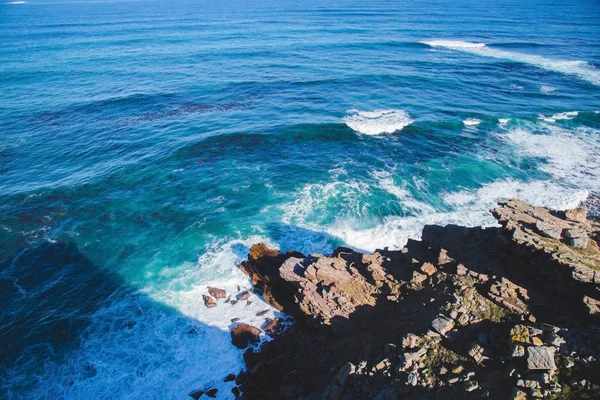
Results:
556 250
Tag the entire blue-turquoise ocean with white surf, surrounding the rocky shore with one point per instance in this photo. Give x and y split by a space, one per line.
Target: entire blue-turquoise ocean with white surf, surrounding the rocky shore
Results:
145 145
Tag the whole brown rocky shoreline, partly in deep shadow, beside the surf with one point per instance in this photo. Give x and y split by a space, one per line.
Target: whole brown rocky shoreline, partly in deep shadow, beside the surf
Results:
507 312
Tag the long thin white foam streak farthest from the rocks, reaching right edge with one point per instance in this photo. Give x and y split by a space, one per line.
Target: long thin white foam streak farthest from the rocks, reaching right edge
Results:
578 68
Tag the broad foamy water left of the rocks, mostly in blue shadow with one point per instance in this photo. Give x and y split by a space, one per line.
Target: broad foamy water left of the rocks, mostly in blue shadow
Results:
137 347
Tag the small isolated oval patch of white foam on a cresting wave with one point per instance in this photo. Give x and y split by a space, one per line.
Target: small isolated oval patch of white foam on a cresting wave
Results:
377 122
